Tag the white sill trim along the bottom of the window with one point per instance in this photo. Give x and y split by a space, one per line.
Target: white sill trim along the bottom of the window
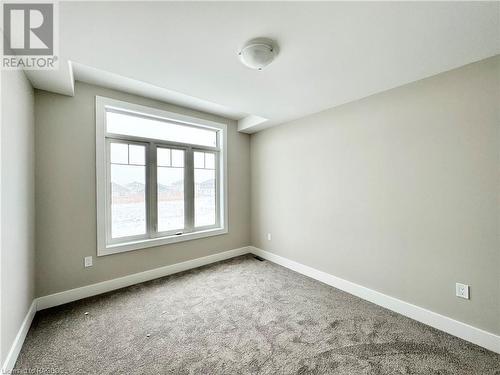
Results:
142 244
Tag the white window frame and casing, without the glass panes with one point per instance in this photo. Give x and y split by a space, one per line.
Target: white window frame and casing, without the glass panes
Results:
105 244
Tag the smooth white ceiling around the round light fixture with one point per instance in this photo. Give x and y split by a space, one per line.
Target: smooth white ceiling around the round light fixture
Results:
330 52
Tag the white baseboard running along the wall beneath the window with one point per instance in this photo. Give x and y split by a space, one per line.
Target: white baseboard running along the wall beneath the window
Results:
106 286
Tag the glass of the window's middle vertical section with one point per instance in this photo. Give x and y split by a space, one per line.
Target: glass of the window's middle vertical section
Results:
171 195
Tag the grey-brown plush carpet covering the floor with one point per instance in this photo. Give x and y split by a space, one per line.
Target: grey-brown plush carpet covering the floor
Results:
240 316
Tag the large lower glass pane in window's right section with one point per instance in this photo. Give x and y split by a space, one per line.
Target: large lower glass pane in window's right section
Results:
204 197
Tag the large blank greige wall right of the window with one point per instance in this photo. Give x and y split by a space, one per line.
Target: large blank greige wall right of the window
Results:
398 192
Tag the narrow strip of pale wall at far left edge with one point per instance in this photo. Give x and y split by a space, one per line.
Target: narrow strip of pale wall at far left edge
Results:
18 206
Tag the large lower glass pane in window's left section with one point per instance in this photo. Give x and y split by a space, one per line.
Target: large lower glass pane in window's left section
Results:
128 200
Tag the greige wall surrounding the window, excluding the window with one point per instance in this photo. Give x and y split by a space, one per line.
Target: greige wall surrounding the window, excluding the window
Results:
66 198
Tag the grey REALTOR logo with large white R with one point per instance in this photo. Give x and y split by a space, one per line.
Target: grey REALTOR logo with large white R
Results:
28 36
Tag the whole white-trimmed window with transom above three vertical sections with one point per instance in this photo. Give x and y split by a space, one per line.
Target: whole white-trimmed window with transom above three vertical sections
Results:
160 177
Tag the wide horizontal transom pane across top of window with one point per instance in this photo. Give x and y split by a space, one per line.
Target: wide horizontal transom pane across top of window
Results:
127 124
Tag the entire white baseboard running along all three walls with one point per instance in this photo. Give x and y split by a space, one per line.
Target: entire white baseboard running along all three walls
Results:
464 331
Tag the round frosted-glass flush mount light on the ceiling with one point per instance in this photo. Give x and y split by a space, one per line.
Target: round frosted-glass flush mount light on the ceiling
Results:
258 53
